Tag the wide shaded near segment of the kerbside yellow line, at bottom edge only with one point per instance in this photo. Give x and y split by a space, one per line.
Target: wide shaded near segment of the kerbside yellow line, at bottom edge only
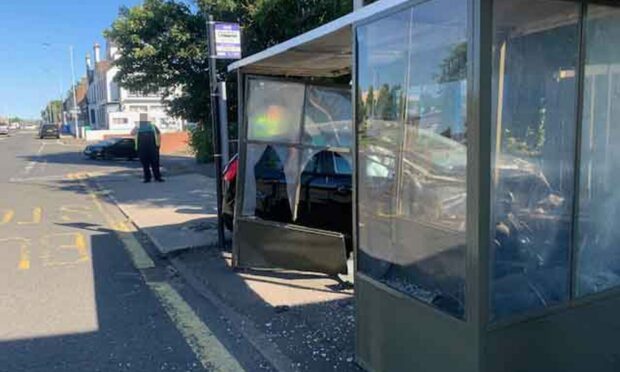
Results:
209 350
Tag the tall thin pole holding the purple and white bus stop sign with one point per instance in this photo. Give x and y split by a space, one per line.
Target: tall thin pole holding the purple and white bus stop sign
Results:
217 146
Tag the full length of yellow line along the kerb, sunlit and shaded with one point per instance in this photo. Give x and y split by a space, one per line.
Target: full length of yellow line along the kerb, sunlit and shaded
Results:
203 342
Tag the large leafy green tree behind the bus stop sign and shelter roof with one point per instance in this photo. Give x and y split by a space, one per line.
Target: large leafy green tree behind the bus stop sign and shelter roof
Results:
163 47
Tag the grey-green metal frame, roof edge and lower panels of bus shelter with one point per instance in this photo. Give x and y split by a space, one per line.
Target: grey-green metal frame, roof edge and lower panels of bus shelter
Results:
473 343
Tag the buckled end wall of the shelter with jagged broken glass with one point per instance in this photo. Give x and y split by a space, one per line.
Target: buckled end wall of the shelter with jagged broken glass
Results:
298 164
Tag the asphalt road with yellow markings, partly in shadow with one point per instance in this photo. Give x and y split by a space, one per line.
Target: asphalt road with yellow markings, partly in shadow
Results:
71 296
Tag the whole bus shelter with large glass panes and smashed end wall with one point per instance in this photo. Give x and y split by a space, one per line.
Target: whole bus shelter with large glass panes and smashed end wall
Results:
484 159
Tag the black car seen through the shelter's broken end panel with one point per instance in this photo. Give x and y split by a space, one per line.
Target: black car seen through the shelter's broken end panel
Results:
325 198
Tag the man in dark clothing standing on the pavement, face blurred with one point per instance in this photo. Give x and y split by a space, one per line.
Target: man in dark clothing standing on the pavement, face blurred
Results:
147 145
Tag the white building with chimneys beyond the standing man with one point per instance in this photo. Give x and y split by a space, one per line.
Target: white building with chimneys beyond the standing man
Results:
118 109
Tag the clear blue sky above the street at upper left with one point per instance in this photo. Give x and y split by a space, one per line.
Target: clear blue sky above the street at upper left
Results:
32 74
